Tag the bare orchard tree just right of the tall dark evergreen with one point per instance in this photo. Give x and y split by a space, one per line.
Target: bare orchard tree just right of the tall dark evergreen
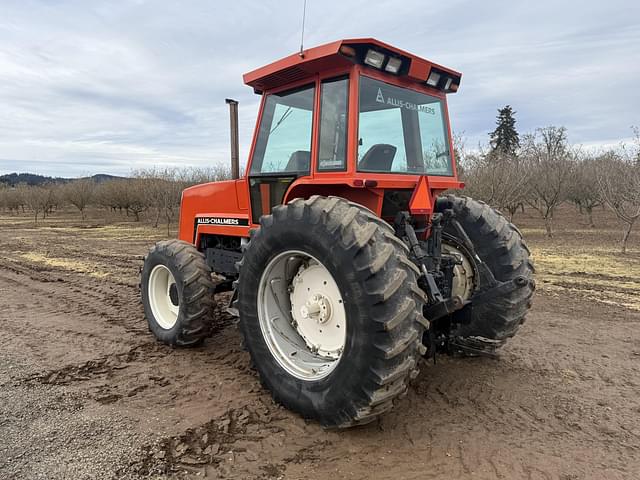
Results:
551 166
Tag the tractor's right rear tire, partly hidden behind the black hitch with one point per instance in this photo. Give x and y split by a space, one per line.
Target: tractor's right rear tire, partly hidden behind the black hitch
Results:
486 325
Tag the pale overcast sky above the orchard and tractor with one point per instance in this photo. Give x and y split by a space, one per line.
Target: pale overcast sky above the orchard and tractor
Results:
104 87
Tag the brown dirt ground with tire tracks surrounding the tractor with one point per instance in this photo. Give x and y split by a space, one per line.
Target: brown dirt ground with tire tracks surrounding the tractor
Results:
86 392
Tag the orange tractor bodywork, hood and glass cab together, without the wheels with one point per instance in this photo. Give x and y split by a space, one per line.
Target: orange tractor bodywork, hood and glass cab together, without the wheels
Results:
357 118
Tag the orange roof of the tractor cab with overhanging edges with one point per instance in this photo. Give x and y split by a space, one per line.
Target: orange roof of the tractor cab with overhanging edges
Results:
342 53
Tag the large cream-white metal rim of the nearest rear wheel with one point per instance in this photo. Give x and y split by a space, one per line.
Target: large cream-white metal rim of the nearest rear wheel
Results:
302 315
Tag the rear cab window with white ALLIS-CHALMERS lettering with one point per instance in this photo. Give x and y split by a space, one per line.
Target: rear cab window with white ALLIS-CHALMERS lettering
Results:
401 131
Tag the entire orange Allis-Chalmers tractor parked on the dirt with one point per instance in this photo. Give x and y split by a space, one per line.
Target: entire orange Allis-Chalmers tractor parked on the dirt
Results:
347 261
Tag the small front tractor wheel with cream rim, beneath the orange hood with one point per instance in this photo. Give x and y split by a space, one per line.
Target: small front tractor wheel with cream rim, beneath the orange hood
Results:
177 293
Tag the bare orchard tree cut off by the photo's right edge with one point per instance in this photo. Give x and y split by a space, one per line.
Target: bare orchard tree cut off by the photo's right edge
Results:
619 186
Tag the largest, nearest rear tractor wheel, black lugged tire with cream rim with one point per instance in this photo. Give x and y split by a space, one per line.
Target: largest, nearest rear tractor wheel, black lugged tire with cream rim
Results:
330 310
